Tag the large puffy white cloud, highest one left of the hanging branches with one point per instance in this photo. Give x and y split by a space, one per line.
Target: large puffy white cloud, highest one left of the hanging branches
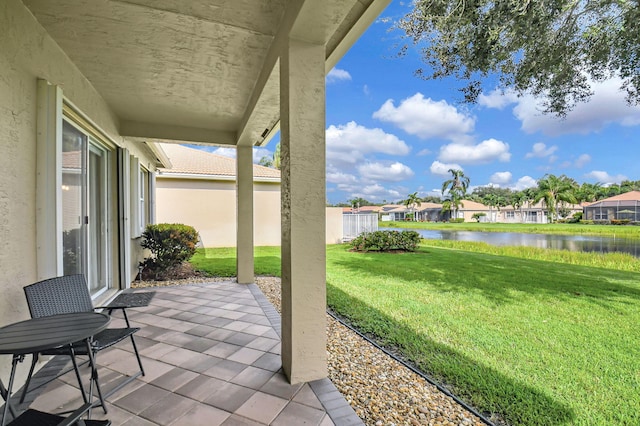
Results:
427 118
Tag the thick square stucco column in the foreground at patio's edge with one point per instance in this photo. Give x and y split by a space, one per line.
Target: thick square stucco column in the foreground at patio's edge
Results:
302 145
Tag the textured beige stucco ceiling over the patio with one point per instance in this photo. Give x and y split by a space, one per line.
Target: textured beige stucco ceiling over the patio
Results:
203 71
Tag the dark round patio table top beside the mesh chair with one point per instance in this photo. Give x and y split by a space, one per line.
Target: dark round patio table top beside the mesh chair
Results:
37 334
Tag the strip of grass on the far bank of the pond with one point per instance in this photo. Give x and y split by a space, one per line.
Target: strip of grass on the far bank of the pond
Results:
618 231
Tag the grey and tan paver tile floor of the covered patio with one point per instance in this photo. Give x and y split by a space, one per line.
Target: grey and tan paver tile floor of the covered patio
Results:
211 354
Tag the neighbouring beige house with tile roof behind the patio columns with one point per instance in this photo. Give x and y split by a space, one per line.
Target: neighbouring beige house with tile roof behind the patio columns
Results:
199 189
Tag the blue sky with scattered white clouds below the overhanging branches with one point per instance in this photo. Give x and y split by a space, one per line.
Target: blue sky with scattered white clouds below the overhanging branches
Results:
390 133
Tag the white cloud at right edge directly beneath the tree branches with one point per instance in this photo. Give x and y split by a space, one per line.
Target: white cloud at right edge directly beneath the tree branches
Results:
606 106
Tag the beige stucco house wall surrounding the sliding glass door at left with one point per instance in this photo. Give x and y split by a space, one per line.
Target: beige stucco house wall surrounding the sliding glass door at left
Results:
27 53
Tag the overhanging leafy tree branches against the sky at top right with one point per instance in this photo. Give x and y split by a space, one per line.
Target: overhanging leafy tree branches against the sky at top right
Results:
553 49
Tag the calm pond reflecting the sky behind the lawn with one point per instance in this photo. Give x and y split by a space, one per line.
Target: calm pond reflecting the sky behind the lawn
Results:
588 243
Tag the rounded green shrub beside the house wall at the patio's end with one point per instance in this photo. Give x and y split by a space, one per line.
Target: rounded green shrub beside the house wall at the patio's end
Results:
170 245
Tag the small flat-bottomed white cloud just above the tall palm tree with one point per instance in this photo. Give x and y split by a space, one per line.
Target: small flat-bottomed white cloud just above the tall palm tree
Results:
482 153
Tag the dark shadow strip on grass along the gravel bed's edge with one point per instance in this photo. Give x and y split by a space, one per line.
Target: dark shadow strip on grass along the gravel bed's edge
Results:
489 391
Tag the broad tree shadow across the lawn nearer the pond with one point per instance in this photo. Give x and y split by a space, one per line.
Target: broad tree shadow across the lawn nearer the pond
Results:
499 279
